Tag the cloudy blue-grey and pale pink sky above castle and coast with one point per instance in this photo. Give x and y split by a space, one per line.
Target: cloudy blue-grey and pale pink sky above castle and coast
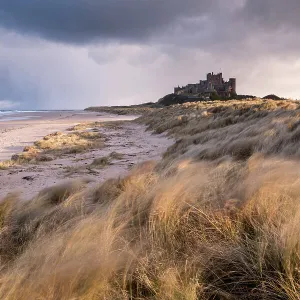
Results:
71 54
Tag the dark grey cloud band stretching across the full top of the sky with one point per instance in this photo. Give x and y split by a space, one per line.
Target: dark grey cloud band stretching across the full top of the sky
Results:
195 21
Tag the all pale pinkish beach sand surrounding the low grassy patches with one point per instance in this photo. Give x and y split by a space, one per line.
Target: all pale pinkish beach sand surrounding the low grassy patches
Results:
130 139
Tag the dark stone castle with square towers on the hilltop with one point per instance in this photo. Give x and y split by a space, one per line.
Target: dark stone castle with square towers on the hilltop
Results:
214 84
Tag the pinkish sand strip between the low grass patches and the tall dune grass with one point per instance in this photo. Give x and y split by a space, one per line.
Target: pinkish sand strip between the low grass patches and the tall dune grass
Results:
131 140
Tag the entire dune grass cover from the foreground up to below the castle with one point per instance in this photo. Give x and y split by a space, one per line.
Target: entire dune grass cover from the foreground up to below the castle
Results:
217 218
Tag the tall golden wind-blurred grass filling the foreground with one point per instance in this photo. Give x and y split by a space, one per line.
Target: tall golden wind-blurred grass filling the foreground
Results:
191 234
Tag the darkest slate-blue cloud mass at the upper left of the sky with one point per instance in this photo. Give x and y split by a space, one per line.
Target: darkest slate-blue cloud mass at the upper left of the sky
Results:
80 21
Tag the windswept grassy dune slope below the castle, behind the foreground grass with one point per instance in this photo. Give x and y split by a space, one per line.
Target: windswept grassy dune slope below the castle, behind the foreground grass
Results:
235 129
